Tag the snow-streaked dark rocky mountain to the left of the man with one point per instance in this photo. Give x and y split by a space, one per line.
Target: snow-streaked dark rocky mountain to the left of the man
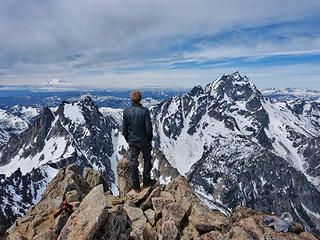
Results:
75 132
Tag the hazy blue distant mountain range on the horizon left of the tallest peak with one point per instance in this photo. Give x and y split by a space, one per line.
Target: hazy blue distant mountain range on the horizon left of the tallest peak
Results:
10 97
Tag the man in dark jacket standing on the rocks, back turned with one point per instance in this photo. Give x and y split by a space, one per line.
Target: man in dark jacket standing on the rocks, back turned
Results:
137 130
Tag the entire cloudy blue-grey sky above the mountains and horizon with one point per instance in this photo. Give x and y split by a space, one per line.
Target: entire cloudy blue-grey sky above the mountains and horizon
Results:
164 43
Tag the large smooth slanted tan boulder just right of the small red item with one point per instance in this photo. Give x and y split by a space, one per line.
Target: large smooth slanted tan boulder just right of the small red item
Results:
85 221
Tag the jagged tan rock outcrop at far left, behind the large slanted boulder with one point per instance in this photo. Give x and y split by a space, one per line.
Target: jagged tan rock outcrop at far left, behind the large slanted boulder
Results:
39 222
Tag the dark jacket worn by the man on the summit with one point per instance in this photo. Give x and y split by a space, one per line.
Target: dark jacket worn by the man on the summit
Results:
136 124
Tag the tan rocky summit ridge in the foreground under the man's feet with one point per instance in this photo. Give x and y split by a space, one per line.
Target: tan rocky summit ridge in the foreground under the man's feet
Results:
171 211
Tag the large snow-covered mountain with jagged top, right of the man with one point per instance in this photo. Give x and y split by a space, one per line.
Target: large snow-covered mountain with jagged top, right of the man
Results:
238 147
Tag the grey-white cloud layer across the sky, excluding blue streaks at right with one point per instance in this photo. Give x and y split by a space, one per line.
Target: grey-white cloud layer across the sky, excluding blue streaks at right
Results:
83 41
